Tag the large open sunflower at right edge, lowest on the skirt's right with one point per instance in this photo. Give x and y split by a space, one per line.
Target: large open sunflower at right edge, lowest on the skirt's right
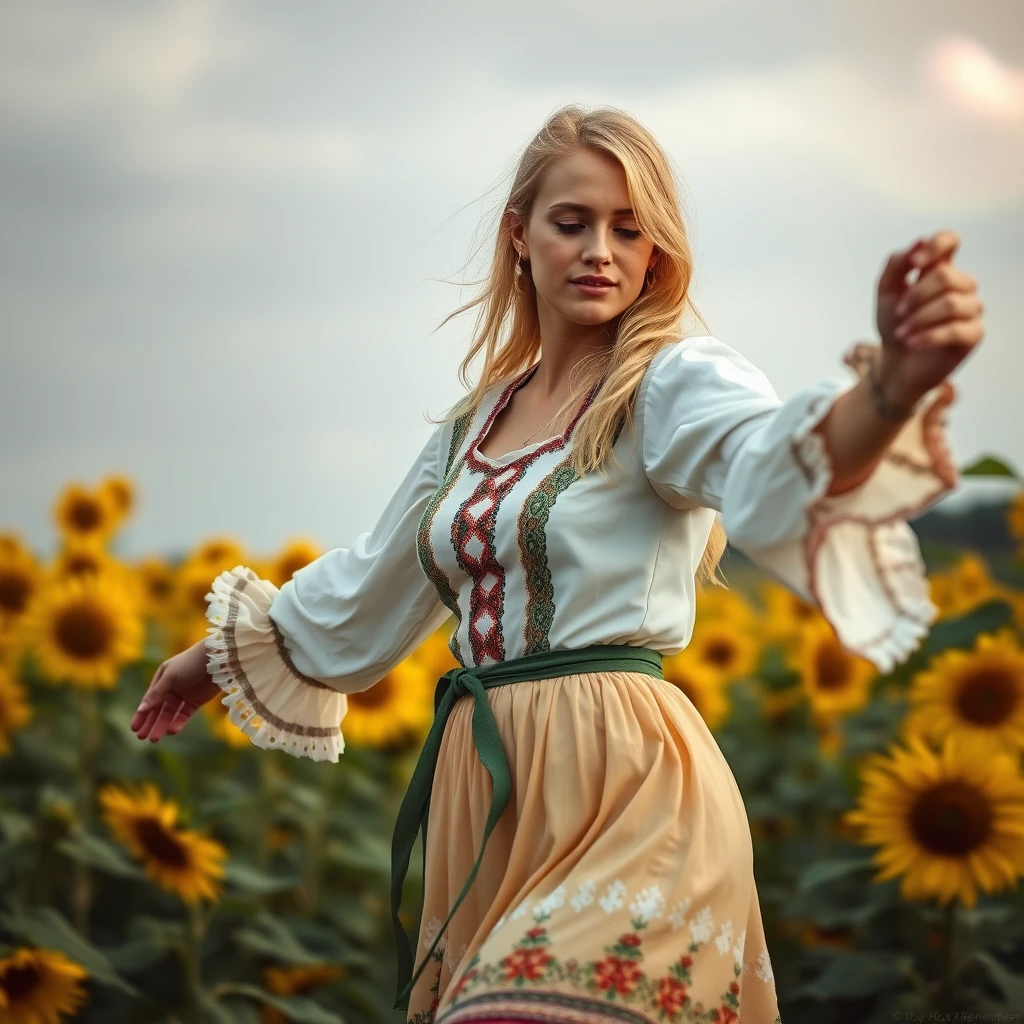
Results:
949 823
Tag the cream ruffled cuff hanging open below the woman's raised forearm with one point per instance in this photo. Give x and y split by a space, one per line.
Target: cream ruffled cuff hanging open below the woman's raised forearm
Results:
860 561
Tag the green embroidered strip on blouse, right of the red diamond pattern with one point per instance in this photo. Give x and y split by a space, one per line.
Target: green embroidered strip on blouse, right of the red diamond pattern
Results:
534 556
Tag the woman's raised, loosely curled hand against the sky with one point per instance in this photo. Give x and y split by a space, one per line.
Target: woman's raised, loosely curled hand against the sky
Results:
927 328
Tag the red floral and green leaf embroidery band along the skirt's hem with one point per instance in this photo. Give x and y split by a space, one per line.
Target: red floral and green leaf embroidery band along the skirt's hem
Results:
618 980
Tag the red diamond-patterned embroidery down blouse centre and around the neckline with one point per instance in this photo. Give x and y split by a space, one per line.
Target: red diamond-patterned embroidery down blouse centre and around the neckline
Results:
474 529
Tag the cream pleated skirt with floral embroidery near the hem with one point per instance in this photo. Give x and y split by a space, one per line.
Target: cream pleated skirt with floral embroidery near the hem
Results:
619 884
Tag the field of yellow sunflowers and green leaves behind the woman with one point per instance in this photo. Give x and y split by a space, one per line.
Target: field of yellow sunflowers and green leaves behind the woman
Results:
201 879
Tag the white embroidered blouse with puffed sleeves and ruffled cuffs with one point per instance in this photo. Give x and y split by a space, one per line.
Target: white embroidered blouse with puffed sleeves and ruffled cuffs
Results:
528 557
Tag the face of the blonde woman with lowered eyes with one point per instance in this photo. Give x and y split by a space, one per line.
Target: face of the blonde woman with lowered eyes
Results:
581 226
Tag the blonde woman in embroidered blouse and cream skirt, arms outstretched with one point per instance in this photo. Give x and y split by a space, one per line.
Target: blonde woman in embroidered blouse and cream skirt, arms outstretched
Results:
588 857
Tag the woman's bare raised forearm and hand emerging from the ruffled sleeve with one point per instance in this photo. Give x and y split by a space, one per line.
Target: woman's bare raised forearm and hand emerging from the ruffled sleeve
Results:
927 330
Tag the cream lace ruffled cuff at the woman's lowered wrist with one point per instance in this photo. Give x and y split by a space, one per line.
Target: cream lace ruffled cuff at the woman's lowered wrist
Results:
268 698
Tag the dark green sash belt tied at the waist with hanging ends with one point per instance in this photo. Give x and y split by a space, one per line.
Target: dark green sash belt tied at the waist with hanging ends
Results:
454 685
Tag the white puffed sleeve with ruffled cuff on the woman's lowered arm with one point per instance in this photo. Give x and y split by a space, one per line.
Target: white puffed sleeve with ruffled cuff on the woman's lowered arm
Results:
287 658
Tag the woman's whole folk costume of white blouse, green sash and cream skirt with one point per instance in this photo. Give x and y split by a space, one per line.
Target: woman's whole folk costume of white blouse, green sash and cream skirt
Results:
616 881
